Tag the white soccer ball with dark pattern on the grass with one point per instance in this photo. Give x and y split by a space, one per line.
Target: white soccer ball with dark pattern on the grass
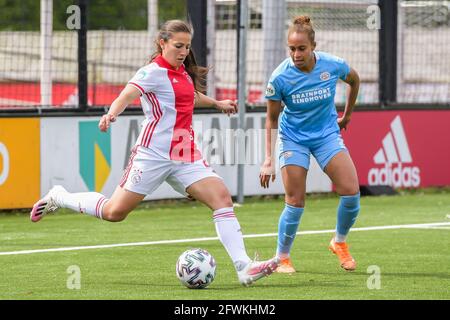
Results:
196 268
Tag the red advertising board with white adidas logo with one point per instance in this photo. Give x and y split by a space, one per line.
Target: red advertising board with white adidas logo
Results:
400 148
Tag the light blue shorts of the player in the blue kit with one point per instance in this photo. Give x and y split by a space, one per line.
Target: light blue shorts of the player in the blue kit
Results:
292 153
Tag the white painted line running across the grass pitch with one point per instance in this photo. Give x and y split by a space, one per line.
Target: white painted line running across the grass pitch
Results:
133 244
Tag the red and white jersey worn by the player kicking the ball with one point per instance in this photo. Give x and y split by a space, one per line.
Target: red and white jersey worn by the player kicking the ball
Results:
167 99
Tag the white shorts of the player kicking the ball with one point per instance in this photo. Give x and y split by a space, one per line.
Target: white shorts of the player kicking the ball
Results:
146 171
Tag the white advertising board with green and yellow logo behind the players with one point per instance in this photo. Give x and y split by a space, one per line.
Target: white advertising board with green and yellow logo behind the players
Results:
75 154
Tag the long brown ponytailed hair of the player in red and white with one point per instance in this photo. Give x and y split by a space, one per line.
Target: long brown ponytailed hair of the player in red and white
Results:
197 73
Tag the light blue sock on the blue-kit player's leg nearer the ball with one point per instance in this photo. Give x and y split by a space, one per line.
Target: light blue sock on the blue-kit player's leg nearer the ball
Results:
287 228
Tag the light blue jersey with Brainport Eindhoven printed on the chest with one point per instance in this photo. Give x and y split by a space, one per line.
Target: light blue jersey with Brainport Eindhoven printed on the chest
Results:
309 114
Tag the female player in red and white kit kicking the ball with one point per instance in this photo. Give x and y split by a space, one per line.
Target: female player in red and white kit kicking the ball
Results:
169 88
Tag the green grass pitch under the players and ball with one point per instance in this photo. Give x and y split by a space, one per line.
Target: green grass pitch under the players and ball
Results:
414 263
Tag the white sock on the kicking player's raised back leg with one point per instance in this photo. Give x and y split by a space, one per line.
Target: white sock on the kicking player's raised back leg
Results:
90 203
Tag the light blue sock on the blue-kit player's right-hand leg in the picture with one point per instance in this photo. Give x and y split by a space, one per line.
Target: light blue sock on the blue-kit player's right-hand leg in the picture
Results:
346 216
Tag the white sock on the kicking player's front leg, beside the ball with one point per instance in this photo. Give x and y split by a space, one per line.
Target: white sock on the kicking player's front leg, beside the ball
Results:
229 232
